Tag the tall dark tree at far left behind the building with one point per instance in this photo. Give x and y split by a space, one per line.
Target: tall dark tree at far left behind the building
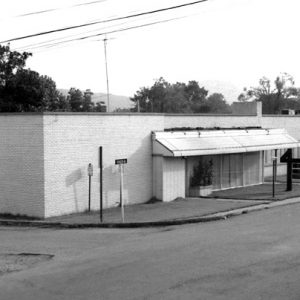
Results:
23 90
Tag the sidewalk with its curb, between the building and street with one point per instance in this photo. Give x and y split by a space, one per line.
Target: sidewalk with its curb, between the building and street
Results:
182 211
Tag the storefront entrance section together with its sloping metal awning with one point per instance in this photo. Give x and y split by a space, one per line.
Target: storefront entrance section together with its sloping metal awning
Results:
194 163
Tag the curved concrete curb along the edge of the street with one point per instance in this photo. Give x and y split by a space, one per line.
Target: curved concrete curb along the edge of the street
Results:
201 219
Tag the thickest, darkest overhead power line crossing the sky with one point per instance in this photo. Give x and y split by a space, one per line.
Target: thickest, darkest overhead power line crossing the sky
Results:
104 21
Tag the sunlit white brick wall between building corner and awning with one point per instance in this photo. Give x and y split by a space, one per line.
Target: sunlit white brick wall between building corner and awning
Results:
72 142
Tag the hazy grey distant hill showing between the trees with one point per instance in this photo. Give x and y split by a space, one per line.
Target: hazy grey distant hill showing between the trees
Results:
115 101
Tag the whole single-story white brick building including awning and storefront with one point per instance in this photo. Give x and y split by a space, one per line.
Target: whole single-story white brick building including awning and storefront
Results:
44 157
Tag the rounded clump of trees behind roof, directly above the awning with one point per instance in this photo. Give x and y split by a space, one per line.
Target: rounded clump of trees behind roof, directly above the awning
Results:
178 98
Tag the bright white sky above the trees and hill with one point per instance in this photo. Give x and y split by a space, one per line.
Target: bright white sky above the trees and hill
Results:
231 43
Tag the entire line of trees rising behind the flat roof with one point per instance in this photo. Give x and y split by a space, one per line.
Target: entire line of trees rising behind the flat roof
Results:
25 90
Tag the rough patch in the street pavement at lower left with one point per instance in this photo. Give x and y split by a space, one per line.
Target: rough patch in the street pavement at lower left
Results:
18 262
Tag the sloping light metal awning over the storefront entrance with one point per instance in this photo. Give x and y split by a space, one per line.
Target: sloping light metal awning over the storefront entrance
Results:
194 143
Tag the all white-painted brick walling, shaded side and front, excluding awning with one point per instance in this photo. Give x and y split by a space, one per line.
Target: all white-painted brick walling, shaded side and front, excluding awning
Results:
44 158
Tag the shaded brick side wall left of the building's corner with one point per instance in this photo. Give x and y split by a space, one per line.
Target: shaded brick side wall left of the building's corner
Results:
21 164
